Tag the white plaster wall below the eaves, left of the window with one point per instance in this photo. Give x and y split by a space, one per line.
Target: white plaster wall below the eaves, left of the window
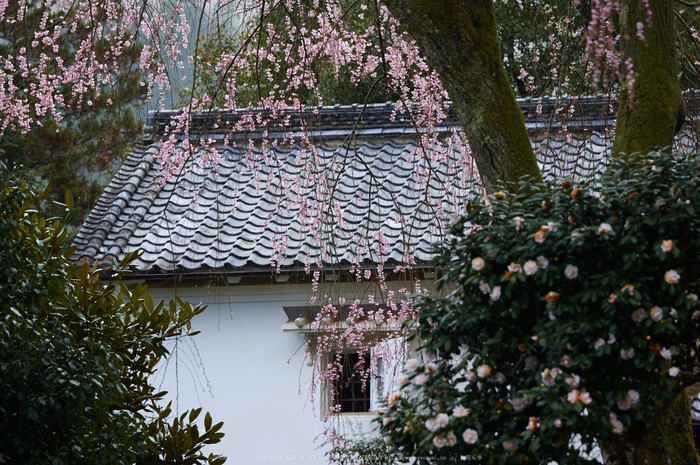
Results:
258 378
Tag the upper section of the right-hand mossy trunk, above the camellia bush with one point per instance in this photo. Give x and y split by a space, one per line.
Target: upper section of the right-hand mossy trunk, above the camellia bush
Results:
652 110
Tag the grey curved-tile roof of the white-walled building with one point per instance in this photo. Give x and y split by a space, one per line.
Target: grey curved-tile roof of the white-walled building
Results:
258 209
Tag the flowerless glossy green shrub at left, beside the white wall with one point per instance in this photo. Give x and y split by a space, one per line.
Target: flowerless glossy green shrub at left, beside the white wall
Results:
76 353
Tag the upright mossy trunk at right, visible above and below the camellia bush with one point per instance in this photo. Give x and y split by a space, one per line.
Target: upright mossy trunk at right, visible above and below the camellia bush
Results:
650 114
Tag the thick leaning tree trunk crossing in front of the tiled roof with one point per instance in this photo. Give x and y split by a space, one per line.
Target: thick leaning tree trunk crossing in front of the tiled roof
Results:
459 41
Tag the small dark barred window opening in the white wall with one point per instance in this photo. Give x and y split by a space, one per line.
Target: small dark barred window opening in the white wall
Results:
352 395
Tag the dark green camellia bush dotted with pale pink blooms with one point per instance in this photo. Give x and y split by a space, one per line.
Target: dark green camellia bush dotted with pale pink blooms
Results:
573 319
